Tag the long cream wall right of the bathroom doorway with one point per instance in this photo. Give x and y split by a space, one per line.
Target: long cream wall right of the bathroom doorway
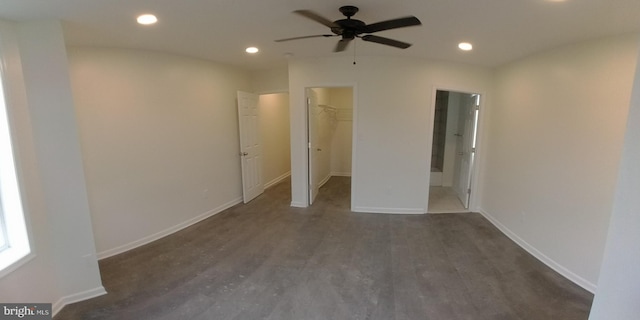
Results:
555 133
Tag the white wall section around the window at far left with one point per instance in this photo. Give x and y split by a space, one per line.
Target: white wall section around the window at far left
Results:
64 268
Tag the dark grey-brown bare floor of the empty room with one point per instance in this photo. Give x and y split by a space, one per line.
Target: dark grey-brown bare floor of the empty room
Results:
267 260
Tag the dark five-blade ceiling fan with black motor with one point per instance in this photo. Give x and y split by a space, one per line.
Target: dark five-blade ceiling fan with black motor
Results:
350 29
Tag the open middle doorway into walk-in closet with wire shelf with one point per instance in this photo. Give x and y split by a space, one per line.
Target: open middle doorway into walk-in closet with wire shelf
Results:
330 125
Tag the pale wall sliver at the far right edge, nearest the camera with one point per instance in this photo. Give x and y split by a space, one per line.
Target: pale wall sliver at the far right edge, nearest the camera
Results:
618 290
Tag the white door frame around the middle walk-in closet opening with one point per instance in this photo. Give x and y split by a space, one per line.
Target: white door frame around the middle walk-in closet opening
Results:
353 136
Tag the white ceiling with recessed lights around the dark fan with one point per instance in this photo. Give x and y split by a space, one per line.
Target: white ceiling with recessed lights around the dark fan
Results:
220 30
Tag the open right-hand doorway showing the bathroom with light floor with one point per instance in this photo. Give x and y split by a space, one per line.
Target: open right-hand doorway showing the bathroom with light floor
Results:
453 151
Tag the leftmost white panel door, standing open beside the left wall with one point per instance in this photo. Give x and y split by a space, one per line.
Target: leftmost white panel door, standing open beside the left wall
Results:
250 148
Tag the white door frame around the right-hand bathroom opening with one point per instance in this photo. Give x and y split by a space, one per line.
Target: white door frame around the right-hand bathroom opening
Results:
479 155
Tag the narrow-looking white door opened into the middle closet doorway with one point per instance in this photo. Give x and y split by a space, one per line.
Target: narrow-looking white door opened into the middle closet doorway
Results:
314 145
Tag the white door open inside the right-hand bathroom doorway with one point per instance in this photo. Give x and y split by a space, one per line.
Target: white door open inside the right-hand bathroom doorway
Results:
466 147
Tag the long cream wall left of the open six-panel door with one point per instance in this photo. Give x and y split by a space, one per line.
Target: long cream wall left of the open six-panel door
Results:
159 137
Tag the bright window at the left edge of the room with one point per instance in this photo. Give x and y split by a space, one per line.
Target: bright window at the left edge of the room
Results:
14 240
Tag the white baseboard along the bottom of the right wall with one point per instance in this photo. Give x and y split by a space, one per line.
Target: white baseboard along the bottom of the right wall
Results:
582 282
